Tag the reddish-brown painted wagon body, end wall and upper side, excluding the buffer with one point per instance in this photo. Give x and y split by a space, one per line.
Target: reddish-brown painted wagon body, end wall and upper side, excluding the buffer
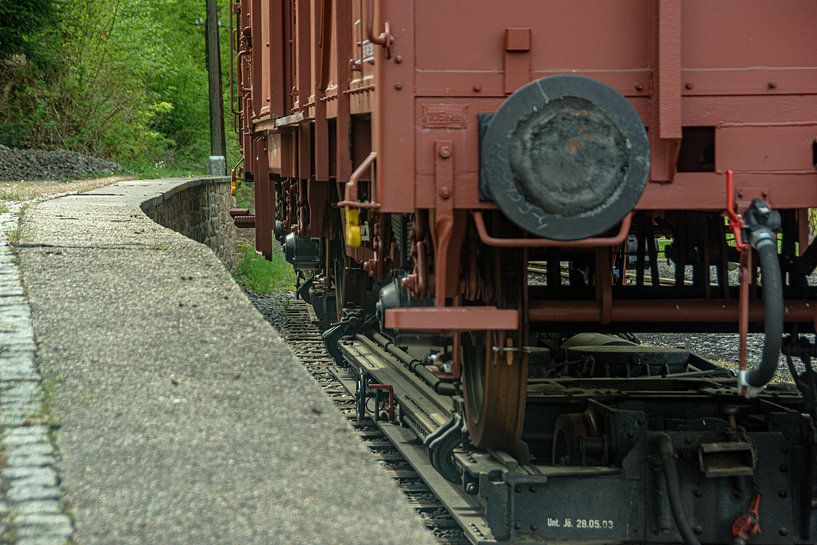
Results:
643 49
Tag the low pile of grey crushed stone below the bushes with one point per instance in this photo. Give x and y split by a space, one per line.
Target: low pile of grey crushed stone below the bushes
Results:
24 164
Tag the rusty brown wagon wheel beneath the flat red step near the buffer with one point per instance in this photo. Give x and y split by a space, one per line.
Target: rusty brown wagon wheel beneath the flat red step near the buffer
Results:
495 393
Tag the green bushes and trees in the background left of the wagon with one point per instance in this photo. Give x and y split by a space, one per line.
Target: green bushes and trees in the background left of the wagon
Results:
128 82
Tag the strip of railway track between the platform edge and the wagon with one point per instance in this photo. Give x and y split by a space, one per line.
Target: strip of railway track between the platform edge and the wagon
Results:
299 328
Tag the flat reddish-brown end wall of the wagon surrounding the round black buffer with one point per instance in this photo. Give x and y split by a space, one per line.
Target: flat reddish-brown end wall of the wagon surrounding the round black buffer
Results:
636 49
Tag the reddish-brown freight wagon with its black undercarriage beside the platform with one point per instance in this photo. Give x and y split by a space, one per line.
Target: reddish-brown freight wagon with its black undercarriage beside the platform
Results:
499 193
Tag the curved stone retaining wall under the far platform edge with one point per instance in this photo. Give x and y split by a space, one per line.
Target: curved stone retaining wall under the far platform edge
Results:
200 210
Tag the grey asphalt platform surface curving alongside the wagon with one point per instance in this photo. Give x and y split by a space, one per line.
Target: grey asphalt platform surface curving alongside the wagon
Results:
183 417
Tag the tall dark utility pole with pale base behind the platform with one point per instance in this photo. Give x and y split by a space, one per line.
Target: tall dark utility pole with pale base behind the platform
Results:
218 141
